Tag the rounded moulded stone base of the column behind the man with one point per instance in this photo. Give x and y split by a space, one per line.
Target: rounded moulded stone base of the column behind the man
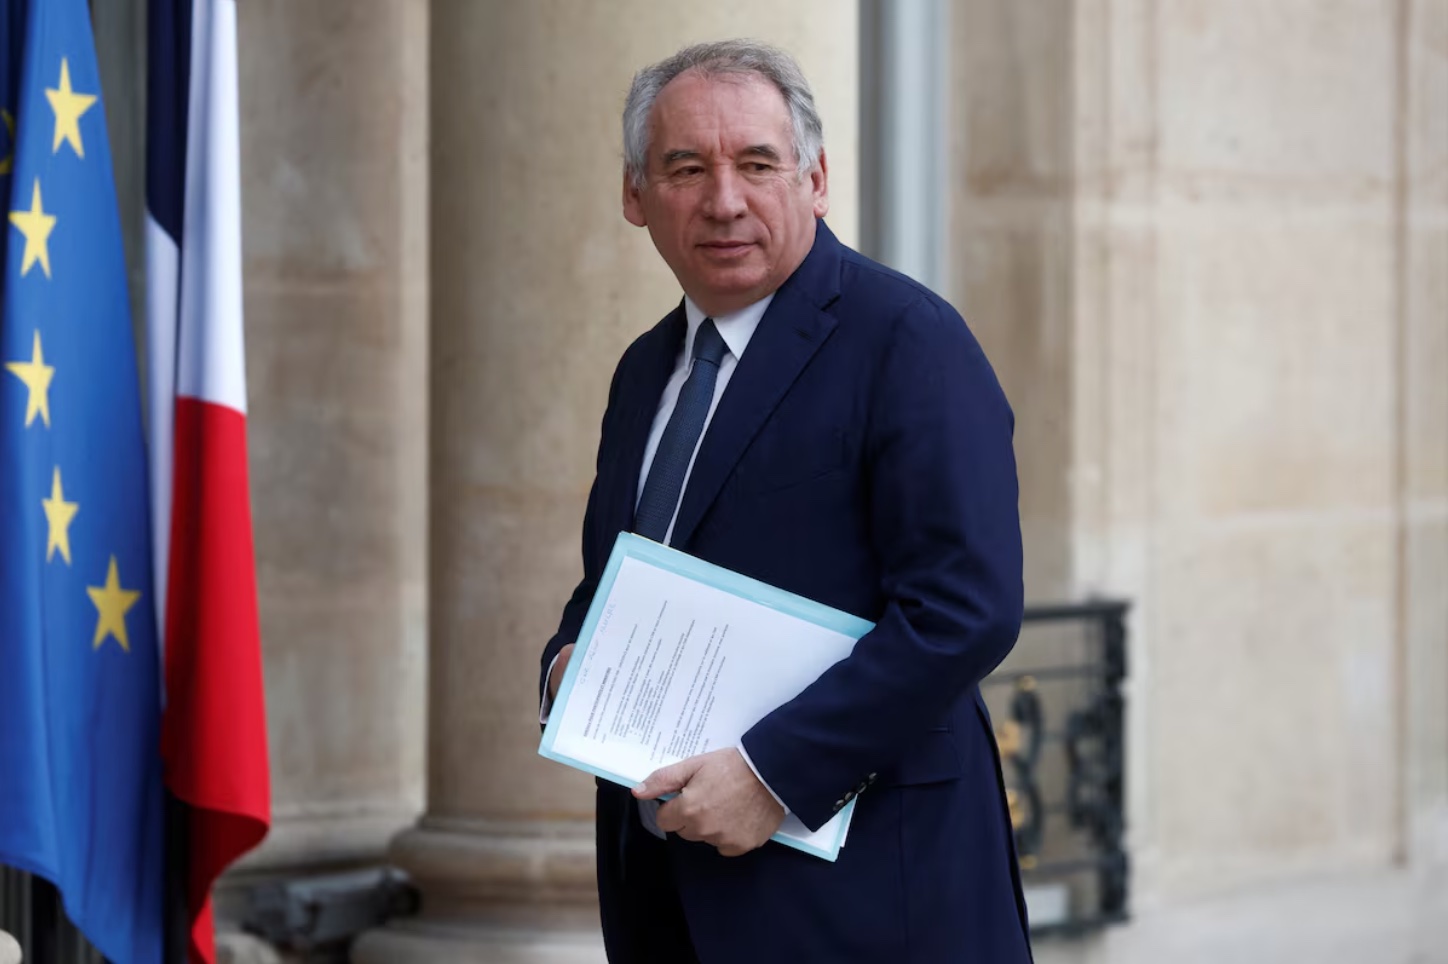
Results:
494 892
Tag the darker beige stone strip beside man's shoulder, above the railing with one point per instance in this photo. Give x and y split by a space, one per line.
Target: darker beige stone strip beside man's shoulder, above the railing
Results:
1011 240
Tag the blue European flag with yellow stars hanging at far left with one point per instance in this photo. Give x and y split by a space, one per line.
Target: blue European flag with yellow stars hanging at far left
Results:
80 698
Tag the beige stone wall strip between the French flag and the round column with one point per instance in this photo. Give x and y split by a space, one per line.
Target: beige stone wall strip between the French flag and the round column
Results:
334 102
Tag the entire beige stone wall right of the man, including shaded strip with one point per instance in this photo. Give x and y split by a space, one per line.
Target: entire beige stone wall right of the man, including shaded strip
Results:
1205 245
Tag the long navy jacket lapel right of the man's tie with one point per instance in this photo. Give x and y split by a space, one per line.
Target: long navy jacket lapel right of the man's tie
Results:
788 337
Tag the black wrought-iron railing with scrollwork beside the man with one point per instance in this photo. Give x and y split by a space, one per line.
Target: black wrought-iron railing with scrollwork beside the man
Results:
1059 716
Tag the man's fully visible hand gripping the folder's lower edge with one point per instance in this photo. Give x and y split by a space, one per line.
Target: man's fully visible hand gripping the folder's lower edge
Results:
720 803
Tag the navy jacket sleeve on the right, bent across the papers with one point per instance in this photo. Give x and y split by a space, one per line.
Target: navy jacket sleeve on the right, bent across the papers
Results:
946 530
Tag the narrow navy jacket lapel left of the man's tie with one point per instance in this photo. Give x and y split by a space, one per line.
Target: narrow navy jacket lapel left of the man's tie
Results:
639 392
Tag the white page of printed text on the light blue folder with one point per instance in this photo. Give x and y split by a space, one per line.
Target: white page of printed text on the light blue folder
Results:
675 668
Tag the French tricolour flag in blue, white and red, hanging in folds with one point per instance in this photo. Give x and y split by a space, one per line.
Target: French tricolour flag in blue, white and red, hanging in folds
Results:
214 733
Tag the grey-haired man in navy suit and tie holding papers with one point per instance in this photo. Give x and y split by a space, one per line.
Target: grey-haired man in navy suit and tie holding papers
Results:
814 420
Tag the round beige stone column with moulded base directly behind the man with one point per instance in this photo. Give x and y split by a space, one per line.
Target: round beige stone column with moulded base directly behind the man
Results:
538 286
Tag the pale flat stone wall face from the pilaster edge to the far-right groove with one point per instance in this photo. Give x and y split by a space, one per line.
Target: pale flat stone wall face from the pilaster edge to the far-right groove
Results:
1249 264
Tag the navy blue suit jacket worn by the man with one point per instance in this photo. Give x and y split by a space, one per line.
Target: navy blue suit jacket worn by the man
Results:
861 457
